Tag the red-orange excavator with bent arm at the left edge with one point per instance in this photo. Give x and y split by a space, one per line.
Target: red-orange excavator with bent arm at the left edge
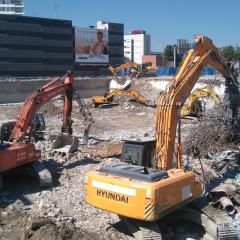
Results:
19 150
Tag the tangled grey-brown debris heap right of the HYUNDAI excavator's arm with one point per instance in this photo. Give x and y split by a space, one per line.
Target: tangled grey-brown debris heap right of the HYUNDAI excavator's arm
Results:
213 132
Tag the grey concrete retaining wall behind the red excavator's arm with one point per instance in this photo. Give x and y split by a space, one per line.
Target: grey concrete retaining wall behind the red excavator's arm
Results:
15 91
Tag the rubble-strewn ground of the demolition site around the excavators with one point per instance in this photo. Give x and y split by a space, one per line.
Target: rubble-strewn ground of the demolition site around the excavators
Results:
60 212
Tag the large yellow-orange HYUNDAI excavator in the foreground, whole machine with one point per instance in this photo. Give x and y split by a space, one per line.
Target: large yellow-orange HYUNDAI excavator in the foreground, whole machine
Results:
147 194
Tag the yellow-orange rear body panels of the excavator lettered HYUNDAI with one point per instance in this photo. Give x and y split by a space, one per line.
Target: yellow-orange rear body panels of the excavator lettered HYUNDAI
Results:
139 199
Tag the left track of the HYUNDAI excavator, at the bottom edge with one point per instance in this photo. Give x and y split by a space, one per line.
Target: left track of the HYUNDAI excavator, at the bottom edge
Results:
142 230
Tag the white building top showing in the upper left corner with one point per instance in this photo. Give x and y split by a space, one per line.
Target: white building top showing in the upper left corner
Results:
12 7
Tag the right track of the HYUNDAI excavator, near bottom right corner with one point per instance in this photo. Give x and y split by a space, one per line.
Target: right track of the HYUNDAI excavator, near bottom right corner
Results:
217 223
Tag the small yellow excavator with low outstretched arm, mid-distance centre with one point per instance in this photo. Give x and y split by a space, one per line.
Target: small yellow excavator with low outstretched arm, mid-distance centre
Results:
107 99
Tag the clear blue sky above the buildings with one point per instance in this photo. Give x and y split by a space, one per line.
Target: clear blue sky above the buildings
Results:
166 20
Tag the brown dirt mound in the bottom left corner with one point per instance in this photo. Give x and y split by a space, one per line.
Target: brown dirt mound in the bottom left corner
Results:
22 226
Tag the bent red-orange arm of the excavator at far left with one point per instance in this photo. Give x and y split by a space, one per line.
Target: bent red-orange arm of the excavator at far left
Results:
25 120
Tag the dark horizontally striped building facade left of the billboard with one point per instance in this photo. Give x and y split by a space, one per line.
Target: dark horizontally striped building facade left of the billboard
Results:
31 46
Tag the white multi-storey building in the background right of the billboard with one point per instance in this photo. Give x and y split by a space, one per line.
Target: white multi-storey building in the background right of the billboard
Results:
136 44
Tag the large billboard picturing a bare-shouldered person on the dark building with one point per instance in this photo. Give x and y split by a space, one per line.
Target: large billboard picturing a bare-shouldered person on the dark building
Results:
91 45
